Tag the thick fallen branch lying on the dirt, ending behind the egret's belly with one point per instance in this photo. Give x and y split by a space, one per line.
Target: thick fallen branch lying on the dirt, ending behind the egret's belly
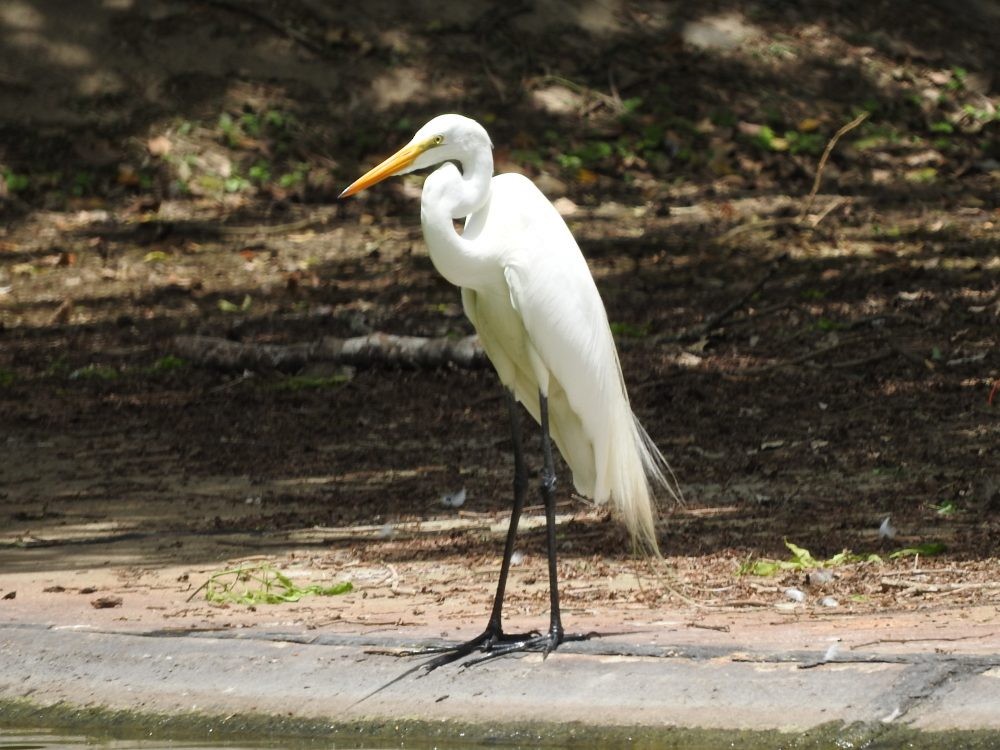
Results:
361 351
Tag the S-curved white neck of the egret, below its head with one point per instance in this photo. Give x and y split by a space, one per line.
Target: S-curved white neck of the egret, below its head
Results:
449 194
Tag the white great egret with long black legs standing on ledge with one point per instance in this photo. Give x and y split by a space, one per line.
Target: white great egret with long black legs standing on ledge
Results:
530 295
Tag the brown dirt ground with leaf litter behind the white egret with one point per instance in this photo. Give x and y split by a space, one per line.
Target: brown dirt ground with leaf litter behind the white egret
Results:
807 379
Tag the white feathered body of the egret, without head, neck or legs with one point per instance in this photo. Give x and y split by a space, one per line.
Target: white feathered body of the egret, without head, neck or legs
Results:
543 325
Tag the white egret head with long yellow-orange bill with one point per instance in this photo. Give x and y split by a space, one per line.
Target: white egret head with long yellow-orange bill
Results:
445 138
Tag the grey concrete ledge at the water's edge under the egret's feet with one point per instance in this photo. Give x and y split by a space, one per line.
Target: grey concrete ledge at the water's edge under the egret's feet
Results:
609 686
